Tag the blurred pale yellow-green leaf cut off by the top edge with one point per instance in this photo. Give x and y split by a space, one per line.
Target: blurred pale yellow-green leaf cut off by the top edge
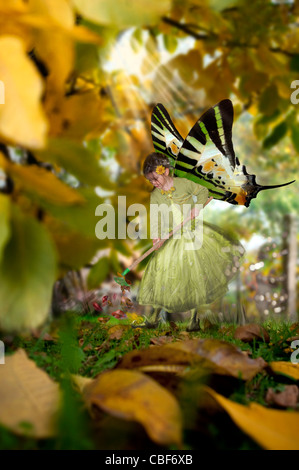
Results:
123 13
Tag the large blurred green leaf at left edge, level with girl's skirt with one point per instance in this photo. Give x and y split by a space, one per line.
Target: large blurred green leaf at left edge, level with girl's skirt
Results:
27 274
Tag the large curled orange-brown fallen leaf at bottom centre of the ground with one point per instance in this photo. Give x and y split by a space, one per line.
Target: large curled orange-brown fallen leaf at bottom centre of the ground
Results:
133 396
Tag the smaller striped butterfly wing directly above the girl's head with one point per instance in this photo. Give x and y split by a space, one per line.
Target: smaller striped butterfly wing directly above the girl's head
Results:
166 138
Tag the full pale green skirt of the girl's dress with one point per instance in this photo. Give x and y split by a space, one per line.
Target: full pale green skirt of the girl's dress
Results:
180 276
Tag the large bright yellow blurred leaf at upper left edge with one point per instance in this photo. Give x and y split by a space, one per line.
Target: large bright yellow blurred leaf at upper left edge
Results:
22 120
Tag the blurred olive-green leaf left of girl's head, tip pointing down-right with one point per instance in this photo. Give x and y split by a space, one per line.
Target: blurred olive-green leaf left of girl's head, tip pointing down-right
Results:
77 160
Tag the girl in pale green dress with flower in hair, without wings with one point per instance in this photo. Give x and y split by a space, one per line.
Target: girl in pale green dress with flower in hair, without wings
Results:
177 278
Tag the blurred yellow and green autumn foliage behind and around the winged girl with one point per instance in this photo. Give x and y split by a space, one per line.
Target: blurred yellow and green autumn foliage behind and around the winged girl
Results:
80 78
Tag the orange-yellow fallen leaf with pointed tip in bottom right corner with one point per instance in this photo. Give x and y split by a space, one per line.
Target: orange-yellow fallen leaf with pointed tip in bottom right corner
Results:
271 429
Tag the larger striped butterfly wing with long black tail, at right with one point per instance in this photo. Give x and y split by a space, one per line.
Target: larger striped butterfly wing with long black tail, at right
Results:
207 157
